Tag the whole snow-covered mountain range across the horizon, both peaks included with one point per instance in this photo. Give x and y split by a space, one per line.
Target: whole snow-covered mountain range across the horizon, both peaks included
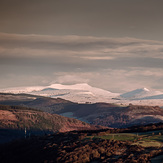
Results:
84 93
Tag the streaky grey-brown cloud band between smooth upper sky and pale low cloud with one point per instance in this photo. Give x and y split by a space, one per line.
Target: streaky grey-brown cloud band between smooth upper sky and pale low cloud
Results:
73 52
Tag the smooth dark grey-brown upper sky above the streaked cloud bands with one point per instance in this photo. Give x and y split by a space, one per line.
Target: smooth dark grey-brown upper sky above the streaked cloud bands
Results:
111 18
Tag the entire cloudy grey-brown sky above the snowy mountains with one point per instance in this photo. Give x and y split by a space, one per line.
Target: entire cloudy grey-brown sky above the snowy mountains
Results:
116 45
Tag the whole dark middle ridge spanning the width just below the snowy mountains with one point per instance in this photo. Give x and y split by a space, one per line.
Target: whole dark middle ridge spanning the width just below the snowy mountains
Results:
105 114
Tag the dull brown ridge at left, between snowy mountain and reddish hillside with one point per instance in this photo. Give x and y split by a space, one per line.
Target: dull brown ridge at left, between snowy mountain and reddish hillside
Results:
46 104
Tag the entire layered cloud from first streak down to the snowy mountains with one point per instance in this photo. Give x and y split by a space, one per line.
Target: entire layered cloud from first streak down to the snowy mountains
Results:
116 64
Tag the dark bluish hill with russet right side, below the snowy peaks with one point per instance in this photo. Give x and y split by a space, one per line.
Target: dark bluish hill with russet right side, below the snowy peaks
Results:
115 116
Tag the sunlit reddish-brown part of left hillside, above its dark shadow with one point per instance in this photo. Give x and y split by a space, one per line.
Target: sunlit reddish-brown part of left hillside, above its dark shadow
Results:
16 117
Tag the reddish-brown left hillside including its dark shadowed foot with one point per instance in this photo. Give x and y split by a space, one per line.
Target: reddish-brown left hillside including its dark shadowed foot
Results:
14 120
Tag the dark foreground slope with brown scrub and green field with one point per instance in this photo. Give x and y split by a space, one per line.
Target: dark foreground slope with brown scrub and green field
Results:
87 146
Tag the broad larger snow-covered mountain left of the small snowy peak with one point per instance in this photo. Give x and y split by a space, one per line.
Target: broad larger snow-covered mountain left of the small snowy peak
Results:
76 93
